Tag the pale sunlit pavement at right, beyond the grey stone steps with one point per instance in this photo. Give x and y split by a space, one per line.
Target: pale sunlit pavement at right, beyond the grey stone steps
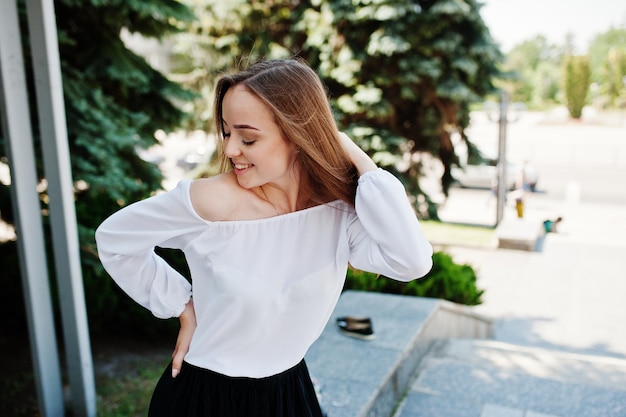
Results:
569 296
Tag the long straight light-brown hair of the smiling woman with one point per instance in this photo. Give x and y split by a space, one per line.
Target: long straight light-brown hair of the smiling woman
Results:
295 96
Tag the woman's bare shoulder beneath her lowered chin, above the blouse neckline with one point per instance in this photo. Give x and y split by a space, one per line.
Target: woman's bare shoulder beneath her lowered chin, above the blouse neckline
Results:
216 198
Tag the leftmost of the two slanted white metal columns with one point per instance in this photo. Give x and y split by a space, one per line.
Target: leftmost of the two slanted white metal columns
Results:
19 141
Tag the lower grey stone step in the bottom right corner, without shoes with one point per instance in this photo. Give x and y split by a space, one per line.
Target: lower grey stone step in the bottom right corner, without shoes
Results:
483 378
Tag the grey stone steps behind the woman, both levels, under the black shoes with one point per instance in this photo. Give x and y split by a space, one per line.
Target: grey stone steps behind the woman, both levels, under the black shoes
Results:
432 358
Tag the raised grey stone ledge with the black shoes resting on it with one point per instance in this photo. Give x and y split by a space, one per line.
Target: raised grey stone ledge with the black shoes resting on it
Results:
360 378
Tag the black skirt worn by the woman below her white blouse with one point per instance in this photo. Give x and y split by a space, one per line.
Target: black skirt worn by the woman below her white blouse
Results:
198 392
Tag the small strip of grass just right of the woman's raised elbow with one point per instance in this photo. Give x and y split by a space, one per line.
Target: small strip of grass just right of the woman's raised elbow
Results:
455 234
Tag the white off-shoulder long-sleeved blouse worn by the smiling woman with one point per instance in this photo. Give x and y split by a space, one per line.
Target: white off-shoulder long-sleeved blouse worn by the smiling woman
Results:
263 289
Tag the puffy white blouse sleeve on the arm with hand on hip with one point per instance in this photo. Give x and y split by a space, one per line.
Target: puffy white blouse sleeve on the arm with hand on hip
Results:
126 242
